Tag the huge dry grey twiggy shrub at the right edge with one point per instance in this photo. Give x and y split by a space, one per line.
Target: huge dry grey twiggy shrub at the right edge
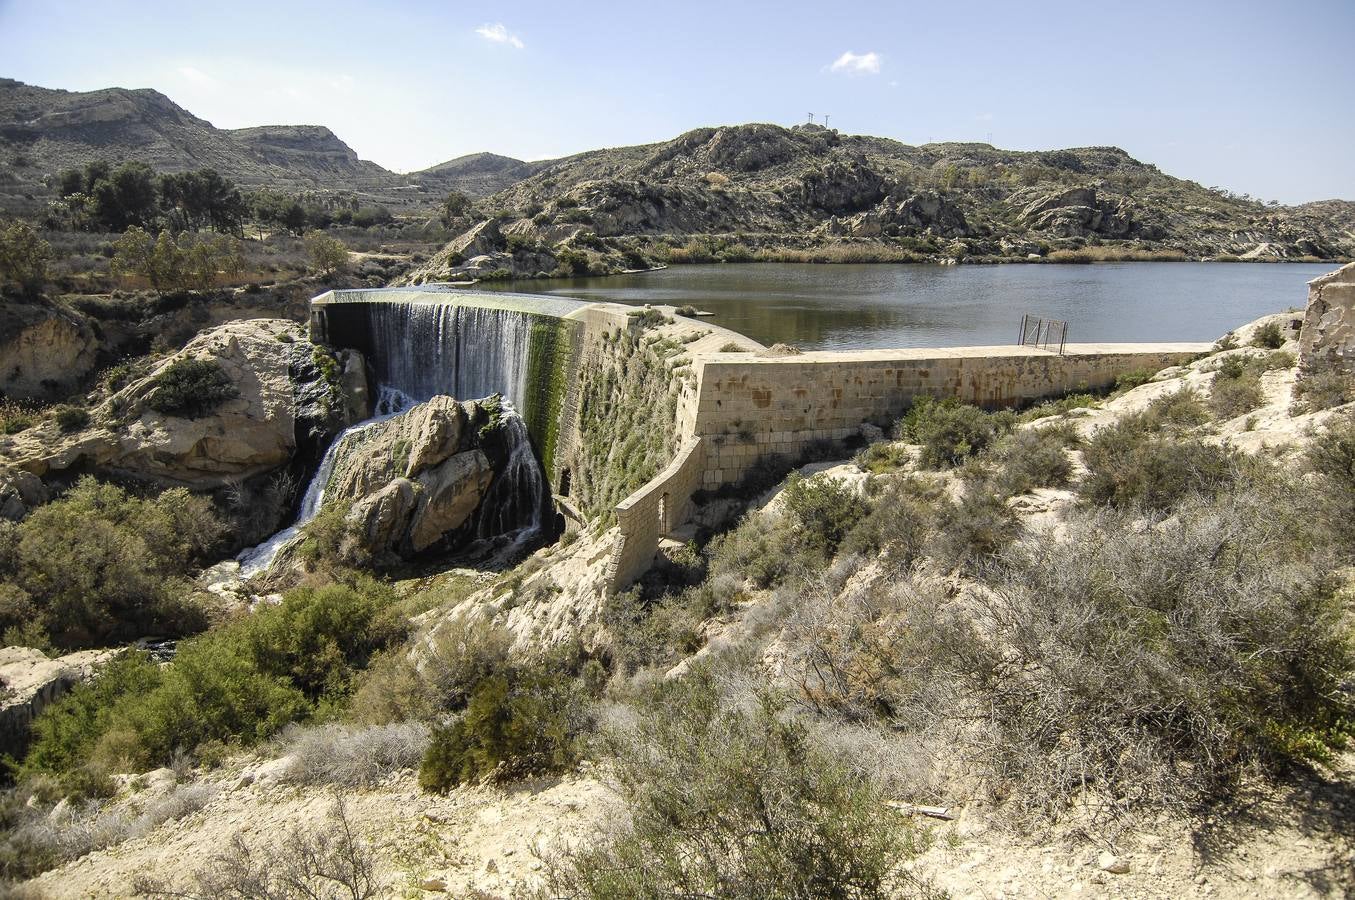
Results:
1158 665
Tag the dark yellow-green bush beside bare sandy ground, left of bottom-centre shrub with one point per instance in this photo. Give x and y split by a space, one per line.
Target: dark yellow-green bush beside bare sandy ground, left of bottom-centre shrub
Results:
520 723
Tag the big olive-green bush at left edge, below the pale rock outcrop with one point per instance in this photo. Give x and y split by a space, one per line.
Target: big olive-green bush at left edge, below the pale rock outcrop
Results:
101 565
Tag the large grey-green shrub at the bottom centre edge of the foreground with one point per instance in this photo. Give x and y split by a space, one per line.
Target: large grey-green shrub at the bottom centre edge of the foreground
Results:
736 804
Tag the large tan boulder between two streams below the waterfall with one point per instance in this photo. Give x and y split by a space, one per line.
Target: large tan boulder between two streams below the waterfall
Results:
415 479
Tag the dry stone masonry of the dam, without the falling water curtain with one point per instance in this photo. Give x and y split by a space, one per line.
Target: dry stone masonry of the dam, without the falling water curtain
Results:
644 414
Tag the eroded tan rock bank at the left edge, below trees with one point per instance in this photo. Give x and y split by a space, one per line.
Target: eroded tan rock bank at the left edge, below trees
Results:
45 352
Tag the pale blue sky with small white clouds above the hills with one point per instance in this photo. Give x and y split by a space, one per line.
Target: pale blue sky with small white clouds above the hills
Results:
1247 96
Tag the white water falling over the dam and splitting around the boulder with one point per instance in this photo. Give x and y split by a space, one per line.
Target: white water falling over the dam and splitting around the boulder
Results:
419 350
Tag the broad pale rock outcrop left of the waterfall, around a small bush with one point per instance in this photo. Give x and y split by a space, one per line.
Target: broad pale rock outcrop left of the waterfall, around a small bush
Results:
284 394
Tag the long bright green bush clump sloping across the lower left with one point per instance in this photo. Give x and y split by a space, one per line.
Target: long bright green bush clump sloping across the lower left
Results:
238 684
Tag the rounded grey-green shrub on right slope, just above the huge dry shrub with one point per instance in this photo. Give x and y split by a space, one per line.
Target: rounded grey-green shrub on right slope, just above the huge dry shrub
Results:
1129 464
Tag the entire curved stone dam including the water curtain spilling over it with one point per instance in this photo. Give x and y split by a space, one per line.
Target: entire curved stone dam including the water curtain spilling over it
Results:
633 410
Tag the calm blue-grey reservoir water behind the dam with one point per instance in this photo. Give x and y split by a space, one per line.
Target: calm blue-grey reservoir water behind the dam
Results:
892 306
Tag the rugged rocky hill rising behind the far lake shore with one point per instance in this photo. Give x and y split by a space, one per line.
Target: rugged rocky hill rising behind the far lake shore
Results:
762 192
